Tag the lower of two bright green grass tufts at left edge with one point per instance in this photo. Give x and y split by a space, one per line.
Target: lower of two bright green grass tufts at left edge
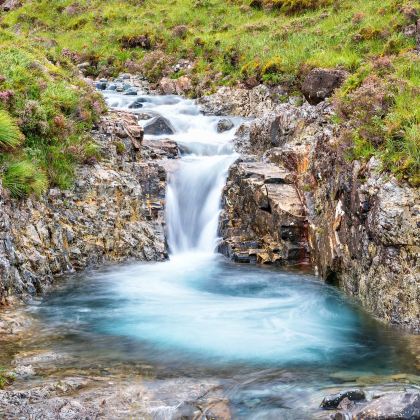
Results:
24 178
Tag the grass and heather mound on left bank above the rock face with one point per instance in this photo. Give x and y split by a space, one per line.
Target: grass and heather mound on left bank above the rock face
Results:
45 113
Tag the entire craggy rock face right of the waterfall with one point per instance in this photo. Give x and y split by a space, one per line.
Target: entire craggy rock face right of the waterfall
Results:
296 193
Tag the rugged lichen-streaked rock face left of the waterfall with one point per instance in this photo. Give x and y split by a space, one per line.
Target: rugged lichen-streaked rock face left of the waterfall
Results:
114 213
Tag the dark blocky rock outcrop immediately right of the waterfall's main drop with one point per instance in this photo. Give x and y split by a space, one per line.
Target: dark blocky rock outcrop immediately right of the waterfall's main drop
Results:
263 218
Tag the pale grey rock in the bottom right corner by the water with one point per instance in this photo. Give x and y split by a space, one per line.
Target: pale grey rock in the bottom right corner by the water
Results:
396 405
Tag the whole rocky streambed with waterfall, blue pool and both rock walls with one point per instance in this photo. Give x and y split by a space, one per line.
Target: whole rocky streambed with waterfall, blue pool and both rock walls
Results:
198 336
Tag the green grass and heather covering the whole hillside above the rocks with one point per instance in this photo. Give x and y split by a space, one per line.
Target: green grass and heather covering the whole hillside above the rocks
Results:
228 42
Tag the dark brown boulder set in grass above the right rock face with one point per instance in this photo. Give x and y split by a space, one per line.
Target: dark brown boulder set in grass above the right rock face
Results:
319 84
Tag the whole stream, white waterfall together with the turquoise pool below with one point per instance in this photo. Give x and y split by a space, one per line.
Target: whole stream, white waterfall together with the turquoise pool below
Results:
273 341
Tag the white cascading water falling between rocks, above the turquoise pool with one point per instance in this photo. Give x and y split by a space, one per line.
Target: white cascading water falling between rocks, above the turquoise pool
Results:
194 191
